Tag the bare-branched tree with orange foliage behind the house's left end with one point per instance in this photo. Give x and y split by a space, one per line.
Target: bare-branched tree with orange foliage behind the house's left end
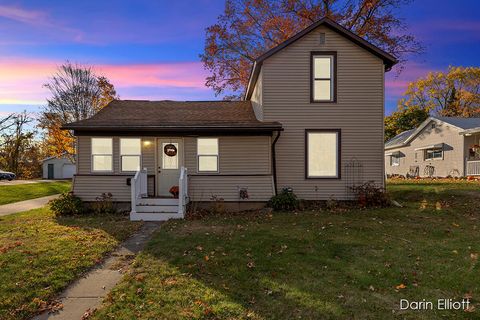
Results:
77 93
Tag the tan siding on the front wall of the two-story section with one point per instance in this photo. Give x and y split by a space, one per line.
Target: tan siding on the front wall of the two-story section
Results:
358 112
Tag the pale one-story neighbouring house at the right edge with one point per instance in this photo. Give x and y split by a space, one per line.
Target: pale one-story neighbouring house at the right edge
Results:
439 147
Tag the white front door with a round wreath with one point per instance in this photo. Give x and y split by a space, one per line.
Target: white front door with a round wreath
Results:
169 162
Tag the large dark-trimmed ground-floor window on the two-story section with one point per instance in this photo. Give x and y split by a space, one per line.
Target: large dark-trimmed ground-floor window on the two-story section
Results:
323 154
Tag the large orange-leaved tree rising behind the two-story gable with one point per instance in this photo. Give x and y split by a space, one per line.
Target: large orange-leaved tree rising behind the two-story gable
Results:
248 28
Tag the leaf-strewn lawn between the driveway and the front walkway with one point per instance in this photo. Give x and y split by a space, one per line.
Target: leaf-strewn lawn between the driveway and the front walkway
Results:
40 255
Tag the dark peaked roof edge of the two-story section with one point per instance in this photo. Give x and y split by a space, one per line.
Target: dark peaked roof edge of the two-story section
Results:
388 59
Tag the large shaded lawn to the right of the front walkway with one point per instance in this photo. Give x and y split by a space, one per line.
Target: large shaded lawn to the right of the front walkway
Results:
344 264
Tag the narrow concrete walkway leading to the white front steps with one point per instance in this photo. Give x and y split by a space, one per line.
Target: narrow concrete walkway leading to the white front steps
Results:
87 293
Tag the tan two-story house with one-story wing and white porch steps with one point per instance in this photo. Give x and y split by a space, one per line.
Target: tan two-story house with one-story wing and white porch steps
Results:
311 120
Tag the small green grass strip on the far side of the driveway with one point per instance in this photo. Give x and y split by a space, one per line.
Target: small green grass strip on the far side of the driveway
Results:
20 192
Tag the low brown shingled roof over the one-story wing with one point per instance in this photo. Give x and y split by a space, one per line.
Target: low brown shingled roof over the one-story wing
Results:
174 116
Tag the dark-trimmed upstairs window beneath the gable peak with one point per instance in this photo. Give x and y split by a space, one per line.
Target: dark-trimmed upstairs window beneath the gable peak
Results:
323 77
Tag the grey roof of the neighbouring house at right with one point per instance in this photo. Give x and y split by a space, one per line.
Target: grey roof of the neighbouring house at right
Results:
462 124
